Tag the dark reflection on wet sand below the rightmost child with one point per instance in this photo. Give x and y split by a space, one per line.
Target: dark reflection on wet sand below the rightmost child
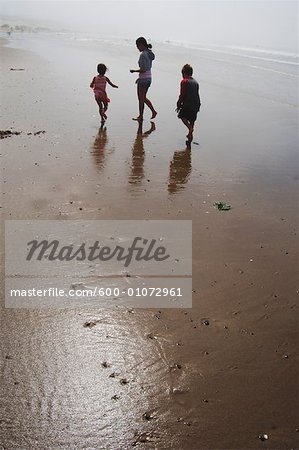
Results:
179 170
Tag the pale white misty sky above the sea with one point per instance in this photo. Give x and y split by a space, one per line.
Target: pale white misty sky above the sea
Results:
263 23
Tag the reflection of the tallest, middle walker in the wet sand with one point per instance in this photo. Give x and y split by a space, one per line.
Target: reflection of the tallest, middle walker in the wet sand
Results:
138 154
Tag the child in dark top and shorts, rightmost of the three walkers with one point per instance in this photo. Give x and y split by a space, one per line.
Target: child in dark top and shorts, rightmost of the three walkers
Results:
188 103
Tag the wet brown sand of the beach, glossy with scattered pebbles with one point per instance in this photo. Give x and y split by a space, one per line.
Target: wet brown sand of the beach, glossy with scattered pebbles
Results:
155 379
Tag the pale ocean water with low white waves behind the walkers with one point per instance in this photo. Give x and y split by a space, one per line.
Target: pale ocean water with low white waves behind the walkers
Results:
267 73
